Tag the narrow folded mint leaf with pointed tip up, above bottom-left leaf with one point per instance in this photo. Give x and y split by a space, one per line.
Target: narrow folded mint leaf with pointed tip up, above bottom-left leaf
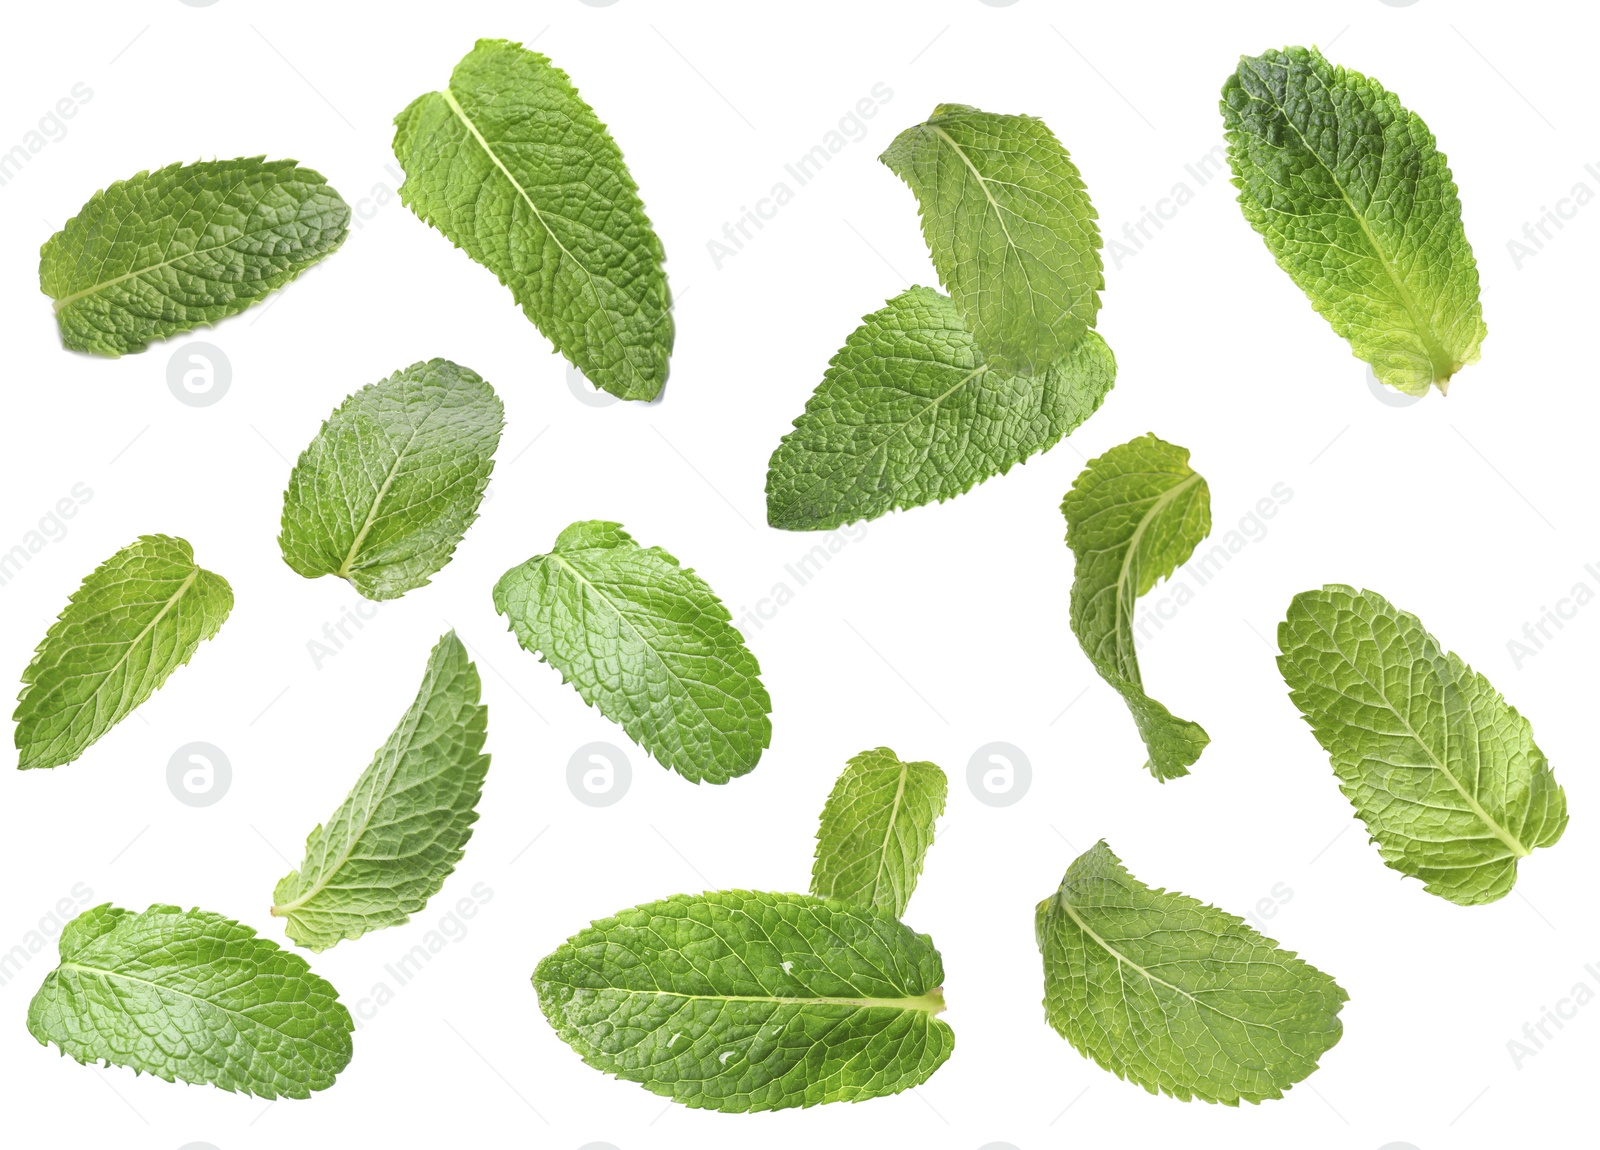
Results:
402 829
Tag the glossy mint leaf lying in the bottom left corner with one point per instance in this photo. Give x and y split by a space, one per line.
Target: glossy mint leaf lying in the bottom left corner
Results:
194 997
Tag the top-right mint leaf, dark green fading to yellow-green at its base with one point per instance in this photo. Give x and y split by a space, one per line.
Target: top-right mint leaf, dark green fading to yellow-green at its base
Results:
1359 207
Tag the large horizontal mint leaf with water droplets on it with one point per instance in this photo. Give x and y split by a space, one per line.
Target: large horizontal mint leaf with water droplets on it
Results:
740 1000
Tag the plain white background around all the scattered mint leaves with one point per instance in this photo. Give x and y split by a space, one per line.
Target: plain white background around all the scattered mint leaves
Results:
935 631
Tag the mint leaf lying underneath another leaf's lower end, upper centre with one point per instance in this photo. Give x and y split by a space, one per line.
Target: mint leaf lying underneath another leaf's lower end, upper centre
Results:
911 413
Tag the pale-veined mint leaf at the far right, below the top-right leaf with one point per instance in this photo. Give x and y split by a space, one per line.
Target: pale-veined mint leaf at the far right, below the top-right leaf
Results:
1439 767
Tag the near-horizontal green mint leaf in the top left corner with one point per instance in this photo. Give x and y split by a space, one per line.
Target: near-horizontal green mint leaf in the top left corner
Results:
185 247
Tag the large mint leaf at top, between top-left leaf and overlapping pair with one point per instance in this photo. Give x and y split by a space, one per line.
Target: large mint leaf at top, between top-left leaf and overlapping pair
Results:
518 172
